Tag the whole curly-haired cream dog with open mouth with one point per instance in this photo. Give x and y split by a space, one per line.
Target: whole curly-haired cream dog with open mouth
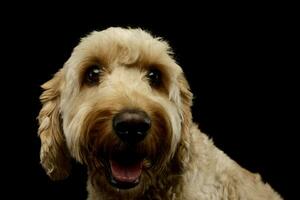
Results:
121 106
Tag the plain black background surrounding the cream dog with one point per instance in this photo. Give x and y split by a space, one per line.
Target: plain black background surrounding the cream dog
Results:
238 62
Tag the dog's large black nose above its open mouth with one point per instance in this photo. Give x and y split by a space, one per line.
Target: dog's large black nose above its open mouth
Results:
131 125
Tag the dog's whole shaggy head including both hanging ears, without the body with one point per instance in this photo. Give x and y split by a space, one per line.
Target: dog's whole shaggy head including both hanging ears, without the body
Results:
120 105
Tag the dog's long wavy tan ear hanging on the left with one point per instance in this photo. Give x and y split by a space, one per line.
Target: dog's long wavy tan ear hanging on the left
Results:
54 155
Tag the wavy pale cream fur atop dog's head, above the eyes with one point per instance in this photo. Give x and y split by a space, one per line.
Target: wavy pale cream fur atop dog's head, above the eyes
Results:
126 45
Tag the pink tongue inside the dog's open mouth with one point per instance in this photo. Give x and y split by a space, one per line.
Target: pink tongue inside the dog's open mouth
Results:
126 173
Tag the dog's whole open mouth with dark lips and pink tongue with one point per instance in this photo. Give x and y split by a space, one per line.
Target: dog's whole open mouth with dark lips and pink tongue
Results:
124 169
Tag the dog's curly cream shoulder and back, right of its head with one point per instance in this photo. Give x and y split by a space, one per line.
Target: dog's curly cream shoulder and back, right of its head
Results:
214 175
